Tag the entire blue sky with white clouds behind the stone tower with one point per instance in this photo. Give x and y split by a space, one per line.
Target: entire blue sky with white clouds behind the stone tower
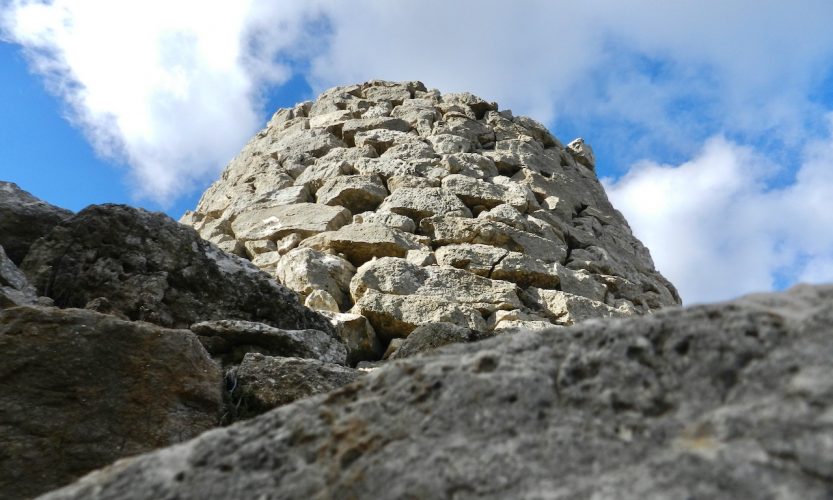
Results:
712 121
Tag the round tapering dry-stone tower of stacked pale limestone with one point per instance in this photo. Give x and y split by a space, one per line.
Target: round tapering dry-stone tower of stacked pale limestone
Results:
446 183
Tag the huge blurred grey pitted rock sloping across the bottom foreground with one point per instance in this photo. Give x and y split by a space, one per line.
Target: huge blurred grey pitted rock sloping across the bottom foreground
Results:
725 401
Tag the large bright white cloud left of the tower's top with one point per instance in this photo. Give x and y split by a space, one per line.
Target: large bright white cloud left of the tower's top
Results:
168 87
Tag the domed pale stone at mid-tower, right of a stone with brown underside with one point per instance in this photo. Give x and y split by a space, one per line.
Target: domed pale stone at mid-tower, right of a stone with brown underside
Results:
418 203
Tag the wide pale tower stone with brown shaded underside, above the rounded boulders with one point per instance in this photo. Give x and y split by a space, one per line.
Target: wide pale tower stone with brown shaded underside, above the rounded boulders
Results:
361 242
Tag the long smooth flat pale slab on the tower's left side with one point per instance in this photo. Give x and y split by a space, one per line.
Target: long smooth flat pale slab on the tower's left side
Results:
274 223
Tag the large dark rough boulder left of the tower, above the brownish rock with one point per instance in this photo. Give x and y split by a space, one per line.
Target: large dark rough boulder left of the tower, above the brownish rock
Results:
152 269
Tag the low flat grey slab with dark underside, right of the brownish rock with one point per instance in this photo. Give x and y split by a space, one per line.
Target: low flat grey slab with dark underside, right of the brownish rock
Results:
231 340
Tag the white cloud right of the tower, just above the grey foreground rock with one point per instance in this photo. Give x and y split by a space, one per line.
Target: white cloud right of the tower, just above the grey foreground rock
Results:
716 229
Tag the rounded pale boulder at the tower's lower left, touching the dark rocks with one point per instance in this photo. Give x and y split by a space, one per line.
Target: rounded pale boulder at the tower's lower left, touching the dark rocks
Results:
305 270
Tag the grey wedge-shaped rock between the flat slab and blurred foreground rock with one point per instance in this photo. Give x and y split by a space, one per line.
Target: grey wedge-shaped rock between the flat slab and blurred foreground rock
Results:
266 382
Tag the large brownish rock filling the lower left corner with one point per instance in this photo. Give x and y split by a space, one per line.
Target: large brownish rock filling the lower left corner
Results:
79 390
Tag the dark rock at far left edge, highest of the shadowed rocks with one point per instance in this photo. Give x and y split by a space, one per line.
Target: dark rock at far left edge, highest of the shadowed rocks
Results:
24 219
